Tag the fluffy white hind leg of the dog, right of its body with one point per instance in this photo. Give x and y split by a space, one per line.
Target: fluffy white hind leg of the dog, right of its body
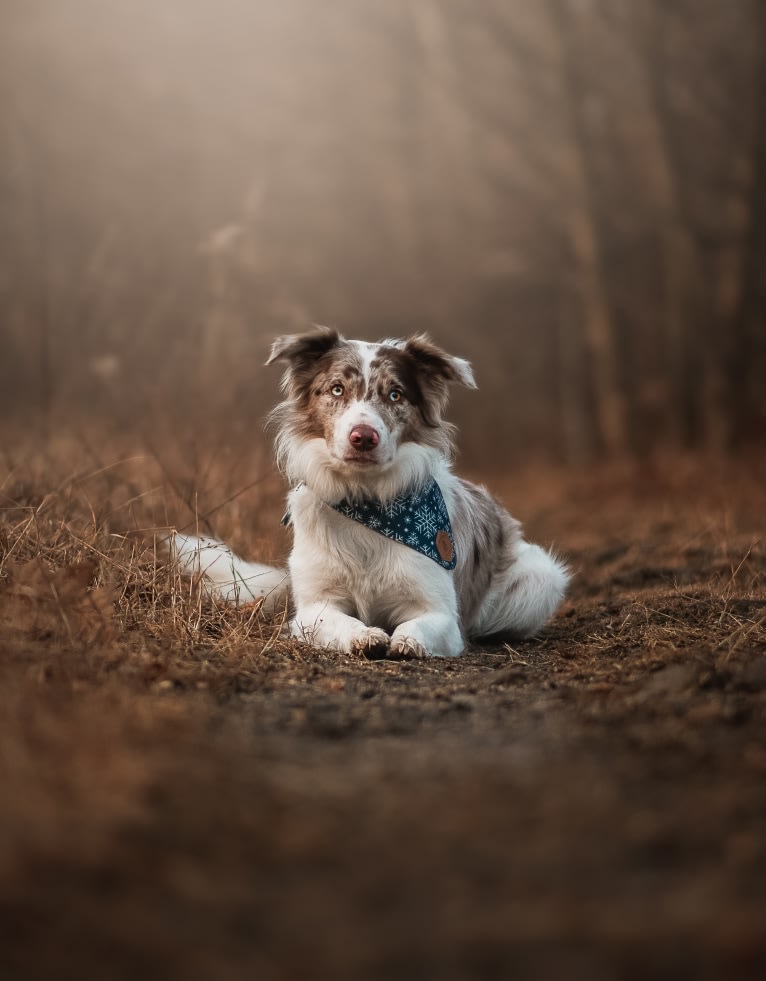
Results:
520 601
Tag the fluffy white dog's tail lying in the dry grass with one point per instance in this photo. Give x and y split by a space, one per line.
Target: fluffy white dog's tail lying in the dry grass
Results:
225 576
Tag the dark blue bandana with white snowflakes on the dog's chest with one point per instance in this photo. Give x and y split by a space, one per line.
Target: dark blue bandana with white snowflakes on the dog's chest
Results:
419 520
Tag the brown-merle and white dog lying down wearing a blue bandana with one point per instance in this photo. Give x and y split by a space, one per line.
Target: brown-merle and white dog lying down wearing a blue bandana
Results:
393 554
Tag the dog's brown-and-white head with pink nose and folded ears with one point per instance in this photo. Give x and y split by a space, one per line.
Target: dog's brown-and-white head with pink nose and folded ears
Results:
357 405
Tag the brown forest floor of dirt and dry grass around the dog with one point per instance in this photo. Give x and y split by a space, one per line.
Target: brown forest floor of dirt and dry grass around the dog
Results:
186 795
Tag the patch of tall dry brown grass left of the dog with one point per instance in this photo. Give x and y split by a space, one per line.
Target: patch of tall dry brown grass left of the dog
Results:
82 528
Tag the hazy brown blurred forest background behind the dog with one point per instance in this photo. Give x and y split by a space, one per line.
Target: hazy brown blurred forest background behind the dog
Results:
571 193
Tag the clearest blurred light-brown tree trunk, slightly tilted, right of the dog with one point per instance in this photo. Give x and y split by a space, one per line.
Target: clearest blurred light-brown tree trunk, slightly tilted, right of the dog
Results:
583 232
